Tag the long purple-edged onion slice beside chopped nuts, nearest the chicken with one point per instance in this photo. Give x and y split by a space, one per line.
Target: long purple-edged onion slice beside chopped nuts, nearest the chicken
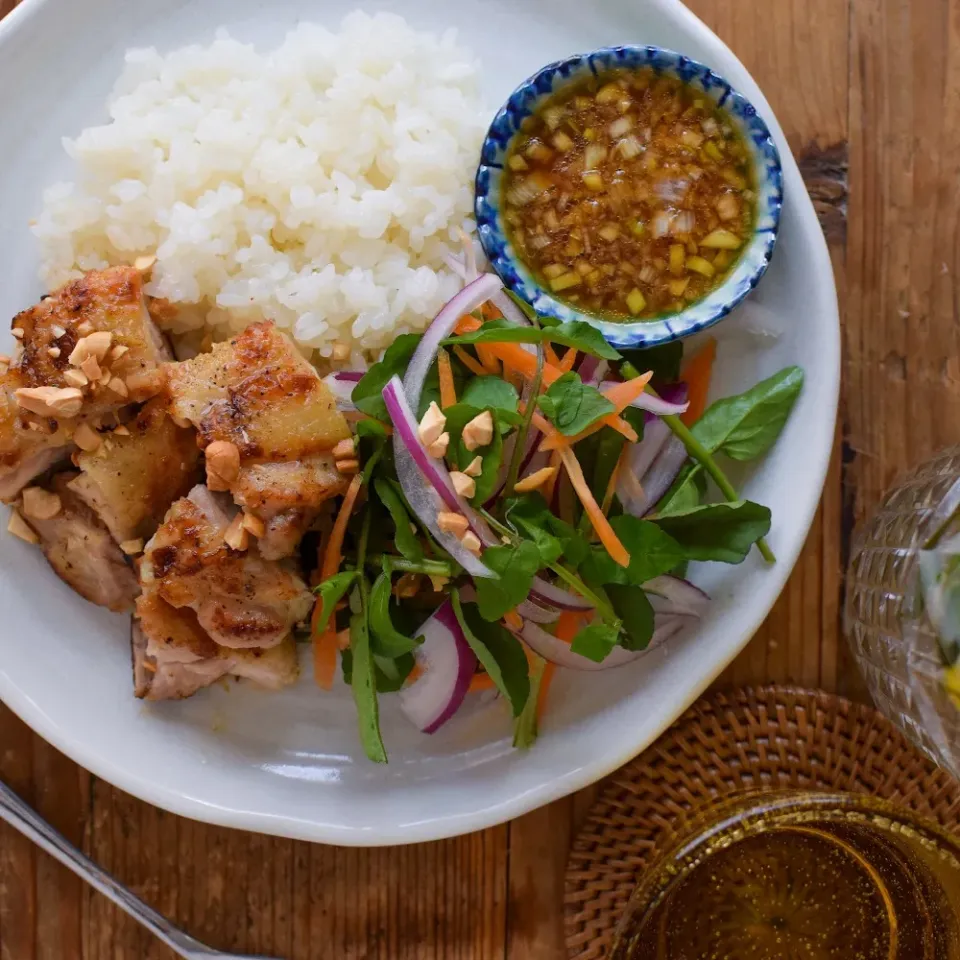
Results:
426 482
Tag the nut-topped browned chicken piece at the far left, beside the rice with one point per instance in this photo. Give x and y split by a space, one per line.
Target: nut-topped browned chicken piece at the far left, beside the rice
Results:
103 301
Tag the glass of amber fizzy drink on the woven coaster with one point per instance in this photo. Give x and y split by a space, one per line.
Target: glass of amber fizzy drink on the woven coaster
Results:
790 875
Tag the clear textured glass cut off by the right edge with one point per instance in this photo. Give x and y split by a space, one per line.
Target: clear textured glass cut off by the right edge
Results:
904 659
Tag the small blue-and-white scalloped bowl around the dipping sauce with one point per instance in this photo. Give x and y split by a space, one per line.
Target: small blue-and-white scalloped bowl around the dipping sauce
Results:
767 175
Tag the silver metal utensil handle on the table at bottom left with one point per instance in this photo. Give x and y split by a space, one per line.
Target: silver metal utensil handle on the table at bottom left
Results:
31 825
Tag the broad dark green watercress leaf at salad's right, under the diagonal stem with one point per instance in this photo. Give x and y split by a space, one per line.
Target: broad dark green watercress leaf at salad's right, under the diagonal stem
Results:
724 532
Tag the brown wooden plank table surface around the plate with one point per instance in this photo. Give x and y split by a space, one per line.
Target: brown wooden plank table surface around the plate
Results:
868 92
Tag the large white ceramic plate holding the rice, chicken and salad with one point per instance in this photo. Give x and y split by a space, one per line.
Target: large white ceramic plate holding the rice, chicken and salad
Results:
290 764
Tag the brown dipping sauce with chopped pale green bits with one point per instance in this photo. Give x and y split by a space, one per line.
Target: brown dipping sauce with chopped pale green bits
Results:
629 195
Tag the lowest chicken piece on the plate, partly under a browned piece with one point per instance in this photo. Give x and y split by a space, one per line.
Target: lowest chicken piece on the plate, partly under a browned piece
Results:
173 657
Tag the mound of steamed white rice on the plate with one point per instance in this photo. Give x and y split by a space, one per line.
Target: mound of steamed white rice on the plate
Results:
319 185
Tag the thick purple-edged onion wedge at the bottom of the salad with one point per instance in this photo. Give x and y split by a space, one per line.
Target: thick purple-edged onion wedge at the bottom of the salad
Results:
448 665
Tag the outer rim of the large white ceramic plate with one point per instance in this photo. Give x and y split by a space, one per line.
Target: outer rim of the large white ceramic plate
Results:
548 790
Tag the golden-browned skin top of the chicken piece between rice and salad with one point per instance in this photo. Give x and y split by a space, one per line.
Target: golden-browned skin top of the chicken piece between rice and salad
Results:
257 392
